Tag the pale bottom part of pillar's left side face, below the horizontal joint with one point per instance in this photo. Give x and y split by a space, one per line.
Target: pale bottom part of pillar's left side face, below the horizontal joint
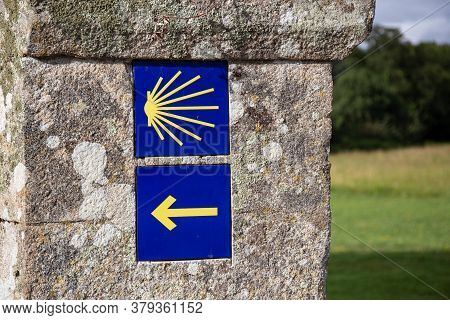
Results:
8 260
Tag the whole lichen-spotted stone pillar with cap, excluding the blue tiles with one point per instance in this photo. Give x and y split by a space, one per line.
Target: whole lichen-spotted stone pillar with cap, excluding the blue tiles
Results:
67 164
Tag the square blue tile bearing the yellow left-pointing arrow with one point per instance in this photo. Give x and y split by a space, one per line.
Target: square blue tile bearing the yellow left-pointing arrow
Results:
183 212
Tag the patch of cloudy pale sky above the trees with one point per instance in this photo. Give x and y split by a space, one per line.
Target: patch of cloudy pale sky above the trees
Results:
404 14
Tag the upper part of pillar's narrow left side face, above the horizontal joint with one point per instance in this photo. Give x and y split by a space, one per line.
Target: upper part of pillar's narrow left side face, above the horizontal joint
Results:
12 169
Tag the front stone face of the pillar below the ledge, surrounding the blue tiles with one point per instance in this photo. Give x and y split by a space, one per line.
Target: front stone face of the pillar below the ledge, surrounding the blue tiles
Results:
78 223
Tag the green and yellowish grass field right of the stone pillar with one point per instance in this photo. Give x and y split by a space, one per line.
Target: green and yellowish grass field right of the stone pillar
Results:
391 217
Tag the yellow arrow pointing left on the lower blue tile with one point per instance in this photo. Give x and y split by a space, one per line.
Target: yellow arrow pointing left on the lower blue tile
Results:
162 213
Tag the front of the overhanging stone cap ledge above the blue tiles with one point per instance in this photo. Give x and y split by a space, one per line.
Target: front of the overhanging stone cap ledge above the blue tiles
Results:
197 29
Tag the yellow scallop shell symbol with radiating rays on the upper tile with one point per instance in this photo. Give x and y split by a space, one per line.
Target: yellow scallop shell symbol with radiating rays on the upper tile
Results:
157 108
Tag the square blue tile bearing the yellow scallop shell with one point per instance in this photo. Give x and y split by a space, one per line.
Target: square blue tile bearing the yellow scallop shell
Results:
181 108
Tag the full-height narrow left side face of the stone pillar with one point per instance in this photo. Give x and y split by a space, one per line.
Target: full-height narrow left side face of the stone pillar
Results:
13 173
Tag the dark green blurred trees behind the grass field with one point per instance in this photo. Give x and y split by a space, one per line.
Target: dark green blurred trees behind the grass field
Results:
391 93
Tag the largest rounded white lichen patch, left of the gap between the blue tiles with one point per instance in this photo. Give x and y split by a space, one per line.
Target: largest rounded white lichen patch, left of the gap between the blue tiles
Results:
89 161
